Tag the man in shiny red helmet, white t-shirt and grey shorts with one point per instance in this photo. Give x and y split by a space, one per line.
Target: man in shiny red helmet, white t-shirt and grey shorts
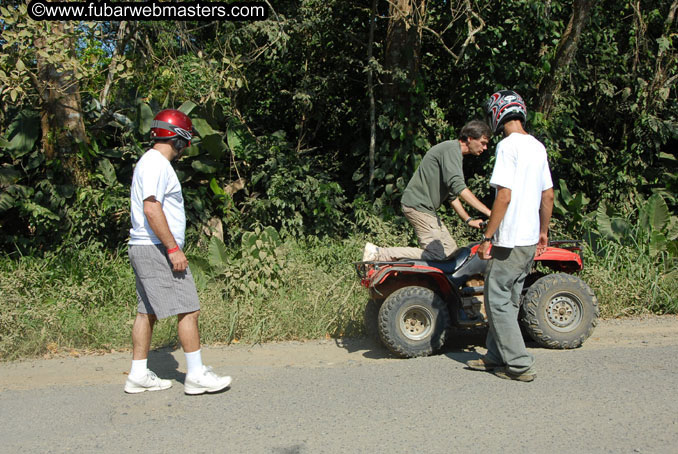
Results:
165 286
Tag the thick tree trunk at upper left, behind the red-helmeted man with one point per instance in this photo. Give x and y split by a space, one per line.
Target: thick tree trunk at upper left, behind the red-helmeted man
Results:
61 117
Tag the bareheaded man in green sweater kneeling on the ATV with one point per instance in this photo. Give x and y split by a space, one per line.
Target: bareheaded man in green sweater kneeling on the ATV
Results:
438 178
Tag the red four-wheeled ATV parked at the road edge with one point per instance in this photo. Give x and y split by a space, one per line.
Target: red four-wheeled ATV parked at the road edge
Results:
416 305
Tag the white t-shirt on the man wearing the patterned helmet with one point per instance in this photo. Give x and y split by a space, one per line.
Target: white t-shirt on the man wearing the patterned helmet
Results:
522 167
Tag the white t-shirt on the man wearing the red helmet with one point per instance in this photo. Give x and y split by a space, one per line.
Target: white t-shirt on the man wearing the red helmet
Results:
155 177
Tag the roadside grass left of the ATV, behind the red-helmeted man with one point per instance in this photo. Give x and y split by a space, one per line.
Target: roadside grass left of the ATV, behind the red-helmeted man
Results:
84 298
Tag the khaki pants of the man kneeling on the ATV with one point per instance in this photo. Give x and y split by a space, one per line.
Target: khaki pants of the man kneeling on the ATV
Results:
435 241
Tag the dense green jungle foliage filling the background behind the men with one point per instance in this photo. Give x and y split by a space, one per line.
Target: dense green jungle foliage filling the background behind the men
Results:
283 108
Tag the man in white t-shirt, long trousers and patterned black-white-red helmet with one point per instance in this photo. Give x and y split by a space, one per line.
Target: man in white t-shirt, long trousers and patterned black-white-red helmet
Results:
517 228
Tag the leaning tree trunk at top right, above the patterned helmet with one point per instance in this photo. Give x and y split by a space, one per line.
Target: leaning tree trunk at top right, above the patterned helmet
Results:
567 48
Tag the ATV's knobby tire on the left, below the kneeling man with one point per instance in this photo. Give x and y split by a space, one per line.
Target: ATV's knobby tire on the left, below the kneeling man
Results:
413 321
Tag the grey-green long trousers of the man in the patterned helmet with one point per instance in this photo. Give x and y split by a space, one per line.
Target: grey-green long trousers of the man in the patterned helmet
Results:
506 274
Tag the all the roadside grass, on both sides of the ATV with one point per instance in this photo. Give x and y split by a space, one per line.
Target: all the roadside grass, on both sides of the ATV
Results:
84 297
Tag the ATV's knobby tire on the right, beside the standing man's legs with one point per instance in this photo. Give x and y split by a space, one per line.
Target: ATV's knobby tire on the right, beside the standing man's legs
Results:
559 311
